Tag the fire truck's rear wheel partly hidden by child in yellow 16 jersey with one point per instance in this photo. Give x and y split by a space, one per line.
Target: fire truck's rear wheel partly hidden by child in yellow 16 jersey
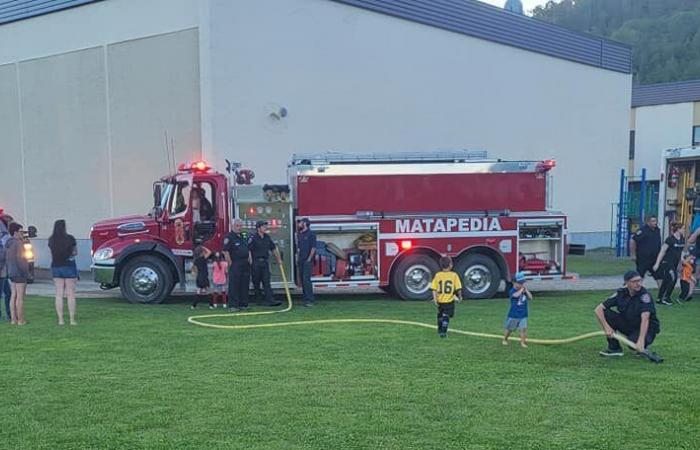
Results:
411 278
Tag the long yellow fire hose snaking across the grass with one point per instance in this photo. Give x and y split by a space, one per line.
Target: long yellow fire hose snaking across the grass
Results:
196 320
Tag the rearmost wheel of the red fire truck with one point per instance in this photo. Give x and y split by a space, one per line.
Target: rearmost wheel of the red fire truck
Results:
480 274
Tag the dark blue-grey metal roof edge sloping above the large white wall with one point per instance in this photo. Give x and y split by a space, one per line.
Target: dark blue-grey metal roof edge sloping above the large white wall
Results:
483 21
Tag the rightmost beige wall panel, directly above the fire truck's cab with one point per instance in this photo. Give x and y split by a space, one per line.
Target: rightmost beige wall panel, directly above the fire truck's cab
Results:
161 96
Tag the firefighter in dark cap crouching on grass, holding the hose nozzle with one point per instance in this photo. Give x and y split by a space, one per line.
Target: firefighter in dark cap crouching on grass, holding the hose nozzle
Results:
634 316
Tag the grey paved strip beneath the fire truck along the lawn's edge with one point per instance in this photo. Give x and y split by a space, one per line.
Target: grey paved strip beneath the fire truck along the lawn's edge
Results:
89 289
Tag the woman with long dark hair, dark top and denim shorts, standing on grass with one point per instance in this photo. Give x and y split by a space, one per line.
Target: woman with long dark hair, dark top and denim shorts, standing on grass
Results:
65 271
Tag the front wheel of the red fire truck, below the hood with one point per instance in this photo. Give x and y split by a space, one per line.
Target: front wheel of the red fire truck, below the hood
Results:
146 279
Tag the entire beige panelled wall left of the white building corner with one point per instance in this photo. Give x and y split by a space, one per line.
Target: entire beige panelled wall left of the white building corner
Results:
82 132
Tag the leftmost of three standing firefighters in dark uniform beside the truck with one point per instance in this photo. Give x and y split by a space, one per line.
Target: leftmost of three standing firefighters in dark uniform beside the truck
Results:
237 255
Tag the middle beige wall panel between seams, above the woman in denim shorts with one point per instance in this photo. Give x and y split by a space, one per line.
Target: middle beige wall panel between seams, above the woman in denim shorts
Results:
64 135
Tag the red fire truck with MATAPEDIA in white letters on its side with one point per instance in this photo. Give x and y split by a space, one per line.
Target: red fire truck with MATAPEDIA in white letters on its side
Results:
381 220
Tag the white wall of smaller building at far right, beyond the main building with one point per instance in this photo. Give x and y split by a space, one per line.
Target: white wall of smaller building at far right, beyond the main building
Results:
658 128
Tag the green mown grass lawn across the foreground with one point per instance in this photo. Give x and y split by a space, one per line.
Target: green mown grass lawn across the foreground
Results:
133 376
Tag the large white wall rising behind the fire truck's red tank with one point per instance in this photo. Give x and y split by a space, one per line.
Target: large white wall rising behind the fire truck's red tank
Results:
354 80
